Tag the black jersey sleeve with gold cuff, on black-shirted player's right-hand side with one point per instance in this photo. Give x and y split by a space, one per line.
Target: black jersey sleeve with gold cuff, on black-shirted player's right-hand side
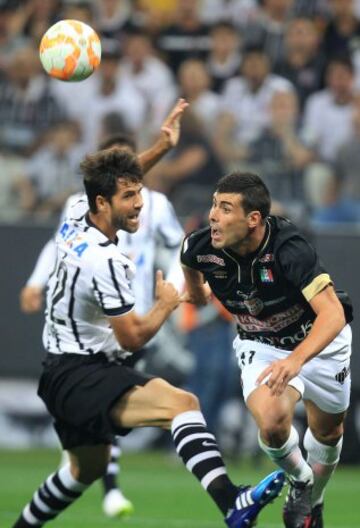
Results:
301 266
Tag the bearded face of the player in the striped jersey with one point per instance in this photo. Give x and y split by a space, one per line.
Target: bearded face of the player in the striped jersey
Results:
125 206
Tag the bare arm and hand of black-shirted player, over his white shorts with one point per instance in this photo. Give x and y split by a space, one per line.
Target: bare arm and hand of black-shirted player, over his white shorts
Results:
329 321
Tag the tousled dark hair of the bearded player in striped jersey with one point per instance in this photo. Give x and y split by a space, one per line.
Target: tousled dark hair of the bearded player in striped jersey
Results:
103 169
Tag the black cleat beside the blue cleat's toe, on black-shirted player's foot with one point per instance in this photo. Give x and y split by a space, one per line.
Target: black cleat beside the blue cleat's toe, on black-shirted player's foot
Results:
297 507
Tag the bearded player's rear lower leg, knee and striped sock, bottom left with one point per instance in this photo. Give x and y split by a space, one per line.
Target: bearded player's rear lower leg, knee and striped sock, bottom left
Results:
63 487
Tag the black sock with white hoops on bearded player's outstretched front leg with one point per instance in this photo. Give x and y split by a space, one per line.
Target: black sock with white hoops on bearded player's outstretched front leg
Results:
200 453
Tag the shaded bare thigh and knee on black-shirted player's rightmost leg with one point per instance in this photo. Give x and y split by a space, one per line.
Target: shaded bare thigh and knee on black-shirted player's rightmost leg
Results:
326 427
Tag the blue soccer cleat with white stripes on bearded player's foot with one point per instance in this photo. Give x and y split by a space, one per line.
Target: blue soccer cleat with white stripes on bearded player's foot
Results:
250 501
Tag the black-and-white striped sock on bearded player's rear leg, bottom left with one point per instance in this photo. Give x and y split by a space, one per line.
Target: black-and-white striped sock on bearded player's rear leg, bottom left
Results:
54 495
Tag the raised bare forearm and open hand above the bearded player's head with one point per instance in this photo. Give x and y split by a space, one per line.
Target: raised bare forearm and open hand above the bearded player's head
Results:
168 138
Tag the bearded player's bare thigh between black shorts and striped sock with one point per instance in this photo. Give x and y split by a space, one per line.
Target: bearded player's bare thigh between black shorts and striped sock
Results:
154 404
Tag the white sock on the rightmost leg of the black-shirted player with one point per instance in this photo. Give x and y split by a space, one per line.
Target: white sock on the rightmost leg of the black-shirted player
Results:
323 460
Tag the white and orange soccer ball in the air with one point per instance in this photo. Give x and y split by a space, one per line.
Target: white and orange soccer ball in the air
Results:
70 50
